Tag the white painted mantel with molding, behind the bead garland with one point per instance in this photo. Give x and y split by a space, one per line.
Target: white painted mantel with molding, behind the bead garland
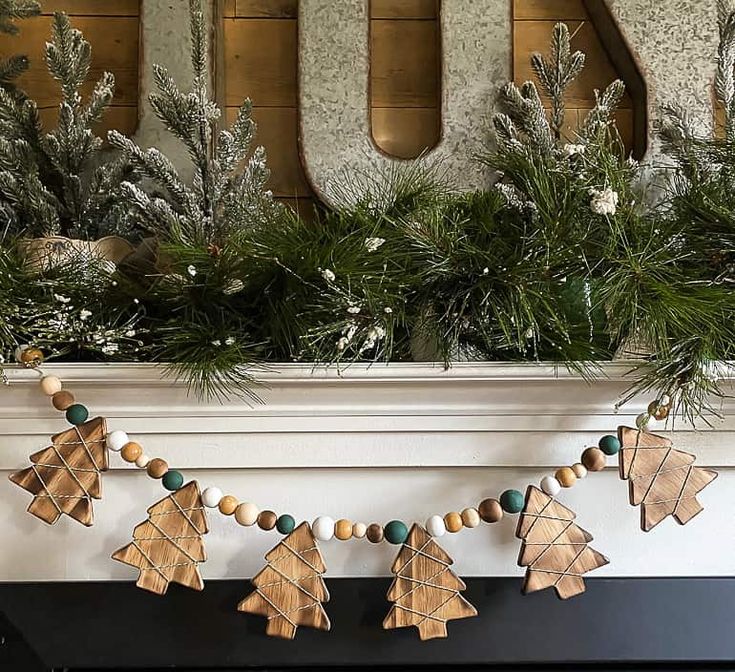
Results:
364 442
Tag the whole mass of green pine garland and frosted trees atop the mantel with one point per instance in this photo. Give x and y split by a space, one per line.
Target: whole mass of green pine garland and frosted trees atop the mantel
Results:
566 258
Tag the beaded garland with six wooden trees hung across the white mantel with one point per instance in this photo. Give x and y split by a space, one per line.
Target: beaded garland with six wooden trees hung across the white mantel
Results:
290 591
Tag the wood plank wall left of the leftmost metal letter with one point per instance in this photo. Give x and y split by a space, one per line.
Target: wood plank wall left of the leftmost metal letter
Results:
112 28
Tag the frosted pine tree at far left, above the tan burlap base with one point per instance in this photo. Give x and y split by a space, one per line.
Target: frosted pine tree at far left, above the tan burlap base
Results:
61 181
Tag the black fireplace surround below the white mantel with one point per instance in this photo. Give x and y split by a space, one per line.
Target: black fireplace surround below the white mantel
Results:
618 624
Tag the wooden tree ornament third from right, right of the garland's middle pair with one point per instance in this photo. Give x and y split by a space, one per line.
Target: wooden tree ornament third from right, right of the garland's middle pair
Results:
425 591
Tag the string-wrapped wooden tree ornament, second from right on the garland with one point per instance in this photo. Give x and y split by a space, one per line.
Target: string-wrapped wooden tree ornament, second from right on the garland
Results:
554 548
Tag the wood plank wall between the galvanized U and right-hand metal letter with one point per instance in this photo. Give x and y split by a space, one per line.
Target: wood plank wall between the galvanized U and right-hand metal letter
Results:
533 23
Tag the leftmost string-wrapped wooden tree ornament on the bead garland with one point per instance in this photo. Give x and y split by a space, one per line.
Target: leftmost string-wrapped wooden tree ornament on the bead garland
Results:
65 477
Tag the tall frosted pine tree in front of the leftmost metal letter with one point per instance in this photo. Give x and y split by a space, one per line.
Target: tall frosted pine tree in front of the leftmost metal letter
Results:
224 198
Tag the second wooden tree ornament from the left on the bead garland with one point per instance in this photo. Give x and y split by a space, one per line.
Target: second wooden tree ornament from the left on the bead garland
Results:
168 547
